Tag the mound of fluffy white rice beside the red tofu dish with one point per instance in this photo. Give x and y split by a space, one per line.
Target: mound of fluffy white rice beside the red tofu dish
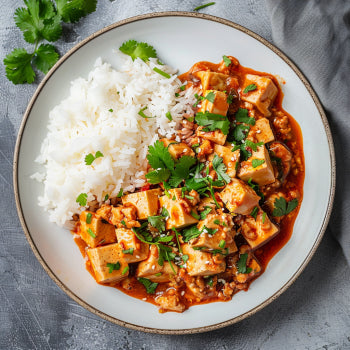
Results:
101 114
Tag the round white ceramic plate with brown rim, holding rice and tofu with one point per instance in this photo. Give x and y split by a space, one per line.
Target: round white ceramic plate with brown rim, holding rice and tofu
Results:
181 39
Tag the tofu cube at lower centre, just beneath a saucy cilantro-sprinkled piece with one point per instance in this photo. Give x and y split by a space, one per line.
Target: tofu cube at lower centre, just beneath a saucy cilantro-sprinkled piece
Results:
201 263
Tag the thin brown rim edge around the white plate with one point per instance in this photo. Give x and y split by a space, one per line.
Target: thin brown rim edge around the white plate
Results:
330 199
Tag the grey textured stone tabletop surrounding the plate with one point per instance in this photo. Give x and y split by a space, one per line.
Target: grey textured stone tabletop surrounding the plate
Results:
314 313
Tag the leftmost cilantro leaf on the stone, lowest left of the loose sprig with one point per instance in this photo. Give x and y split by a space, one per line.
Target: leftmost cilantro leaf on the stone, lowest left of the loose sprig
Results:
18 67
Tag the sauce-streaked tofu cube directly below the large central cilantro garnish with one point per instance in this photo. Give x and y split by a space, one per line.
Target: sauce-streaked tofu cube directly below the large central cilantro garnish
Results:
178 209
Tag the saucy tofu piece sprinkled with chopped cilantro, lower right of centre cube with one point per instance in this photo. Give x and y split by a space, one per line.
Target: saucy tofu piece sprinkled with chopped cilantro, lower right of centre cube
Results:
209 240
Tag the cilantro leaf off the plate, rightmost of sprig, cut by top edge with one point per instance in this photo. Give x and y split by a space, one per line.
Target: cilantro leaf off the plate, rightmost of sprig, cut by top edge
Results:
72 11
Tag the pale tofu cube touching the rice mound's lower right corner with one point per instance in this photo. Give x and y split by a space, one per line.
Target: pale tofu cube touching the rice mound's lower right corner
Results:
146 202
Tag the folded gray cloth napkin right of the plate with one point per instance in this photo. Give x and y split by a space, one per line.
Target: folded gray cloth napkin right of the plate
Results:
316 34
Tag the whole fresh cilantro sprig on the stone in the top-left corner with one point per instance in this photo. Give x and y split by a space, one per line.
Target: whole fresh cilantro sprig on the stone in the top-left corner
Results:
41 20
